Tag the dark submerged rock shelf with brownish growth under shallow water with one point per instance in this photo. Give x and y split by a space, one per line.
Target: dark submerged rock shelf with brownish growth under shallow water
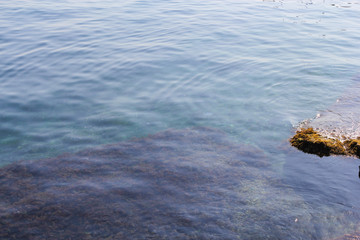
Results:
177 184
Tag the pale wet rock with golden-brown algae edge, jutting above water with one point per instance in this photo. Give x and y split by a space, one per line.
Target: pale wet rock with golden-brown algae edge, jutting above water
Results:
335 130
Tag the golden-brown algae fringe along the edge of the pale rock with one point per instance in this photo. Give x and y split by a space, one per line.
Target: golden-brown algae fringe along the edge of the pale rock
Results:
310 141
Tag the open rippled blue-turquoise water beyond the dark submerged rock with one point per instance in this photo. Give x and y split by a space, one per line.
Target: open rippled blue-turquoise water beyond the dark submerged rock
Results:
75 75
